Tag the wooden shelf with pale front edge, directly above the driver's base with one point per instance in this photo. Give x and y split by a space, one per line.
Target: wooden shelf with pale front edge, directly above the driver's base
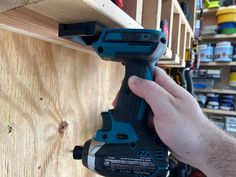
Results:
41 19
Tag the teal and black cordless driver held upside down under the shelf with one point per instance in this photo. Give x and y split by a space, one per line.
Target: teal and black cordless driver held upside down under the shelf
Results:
124 146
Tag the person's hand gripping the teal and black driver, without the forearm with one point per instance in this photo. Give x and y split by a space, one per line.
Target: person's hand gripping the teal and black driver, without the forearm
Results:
177 117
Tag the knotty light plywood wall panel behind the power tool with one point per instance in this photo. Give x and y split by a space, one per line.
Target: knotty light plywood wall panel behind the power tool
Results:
41 86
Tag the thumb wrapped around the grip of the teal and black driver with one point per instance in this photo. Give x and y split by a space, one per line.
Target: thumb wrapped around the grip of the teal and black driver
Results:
148 90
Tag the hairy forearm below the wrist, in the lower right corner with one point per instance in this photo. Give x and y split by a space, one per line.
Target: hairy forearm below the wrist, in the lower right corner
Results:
220 154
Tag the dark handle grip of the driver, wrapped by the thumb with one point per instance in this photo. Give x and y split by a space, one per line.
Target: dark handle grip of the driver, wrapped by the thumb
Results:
130 107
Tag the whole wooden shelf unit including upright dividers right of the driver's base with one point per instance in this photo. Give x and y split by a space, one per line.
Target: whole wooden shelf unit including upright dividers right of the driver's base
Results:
40 20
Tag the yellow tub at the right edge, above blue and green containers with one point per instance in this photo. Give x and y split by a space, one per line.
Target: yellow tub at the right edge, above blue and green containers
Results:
226 14
